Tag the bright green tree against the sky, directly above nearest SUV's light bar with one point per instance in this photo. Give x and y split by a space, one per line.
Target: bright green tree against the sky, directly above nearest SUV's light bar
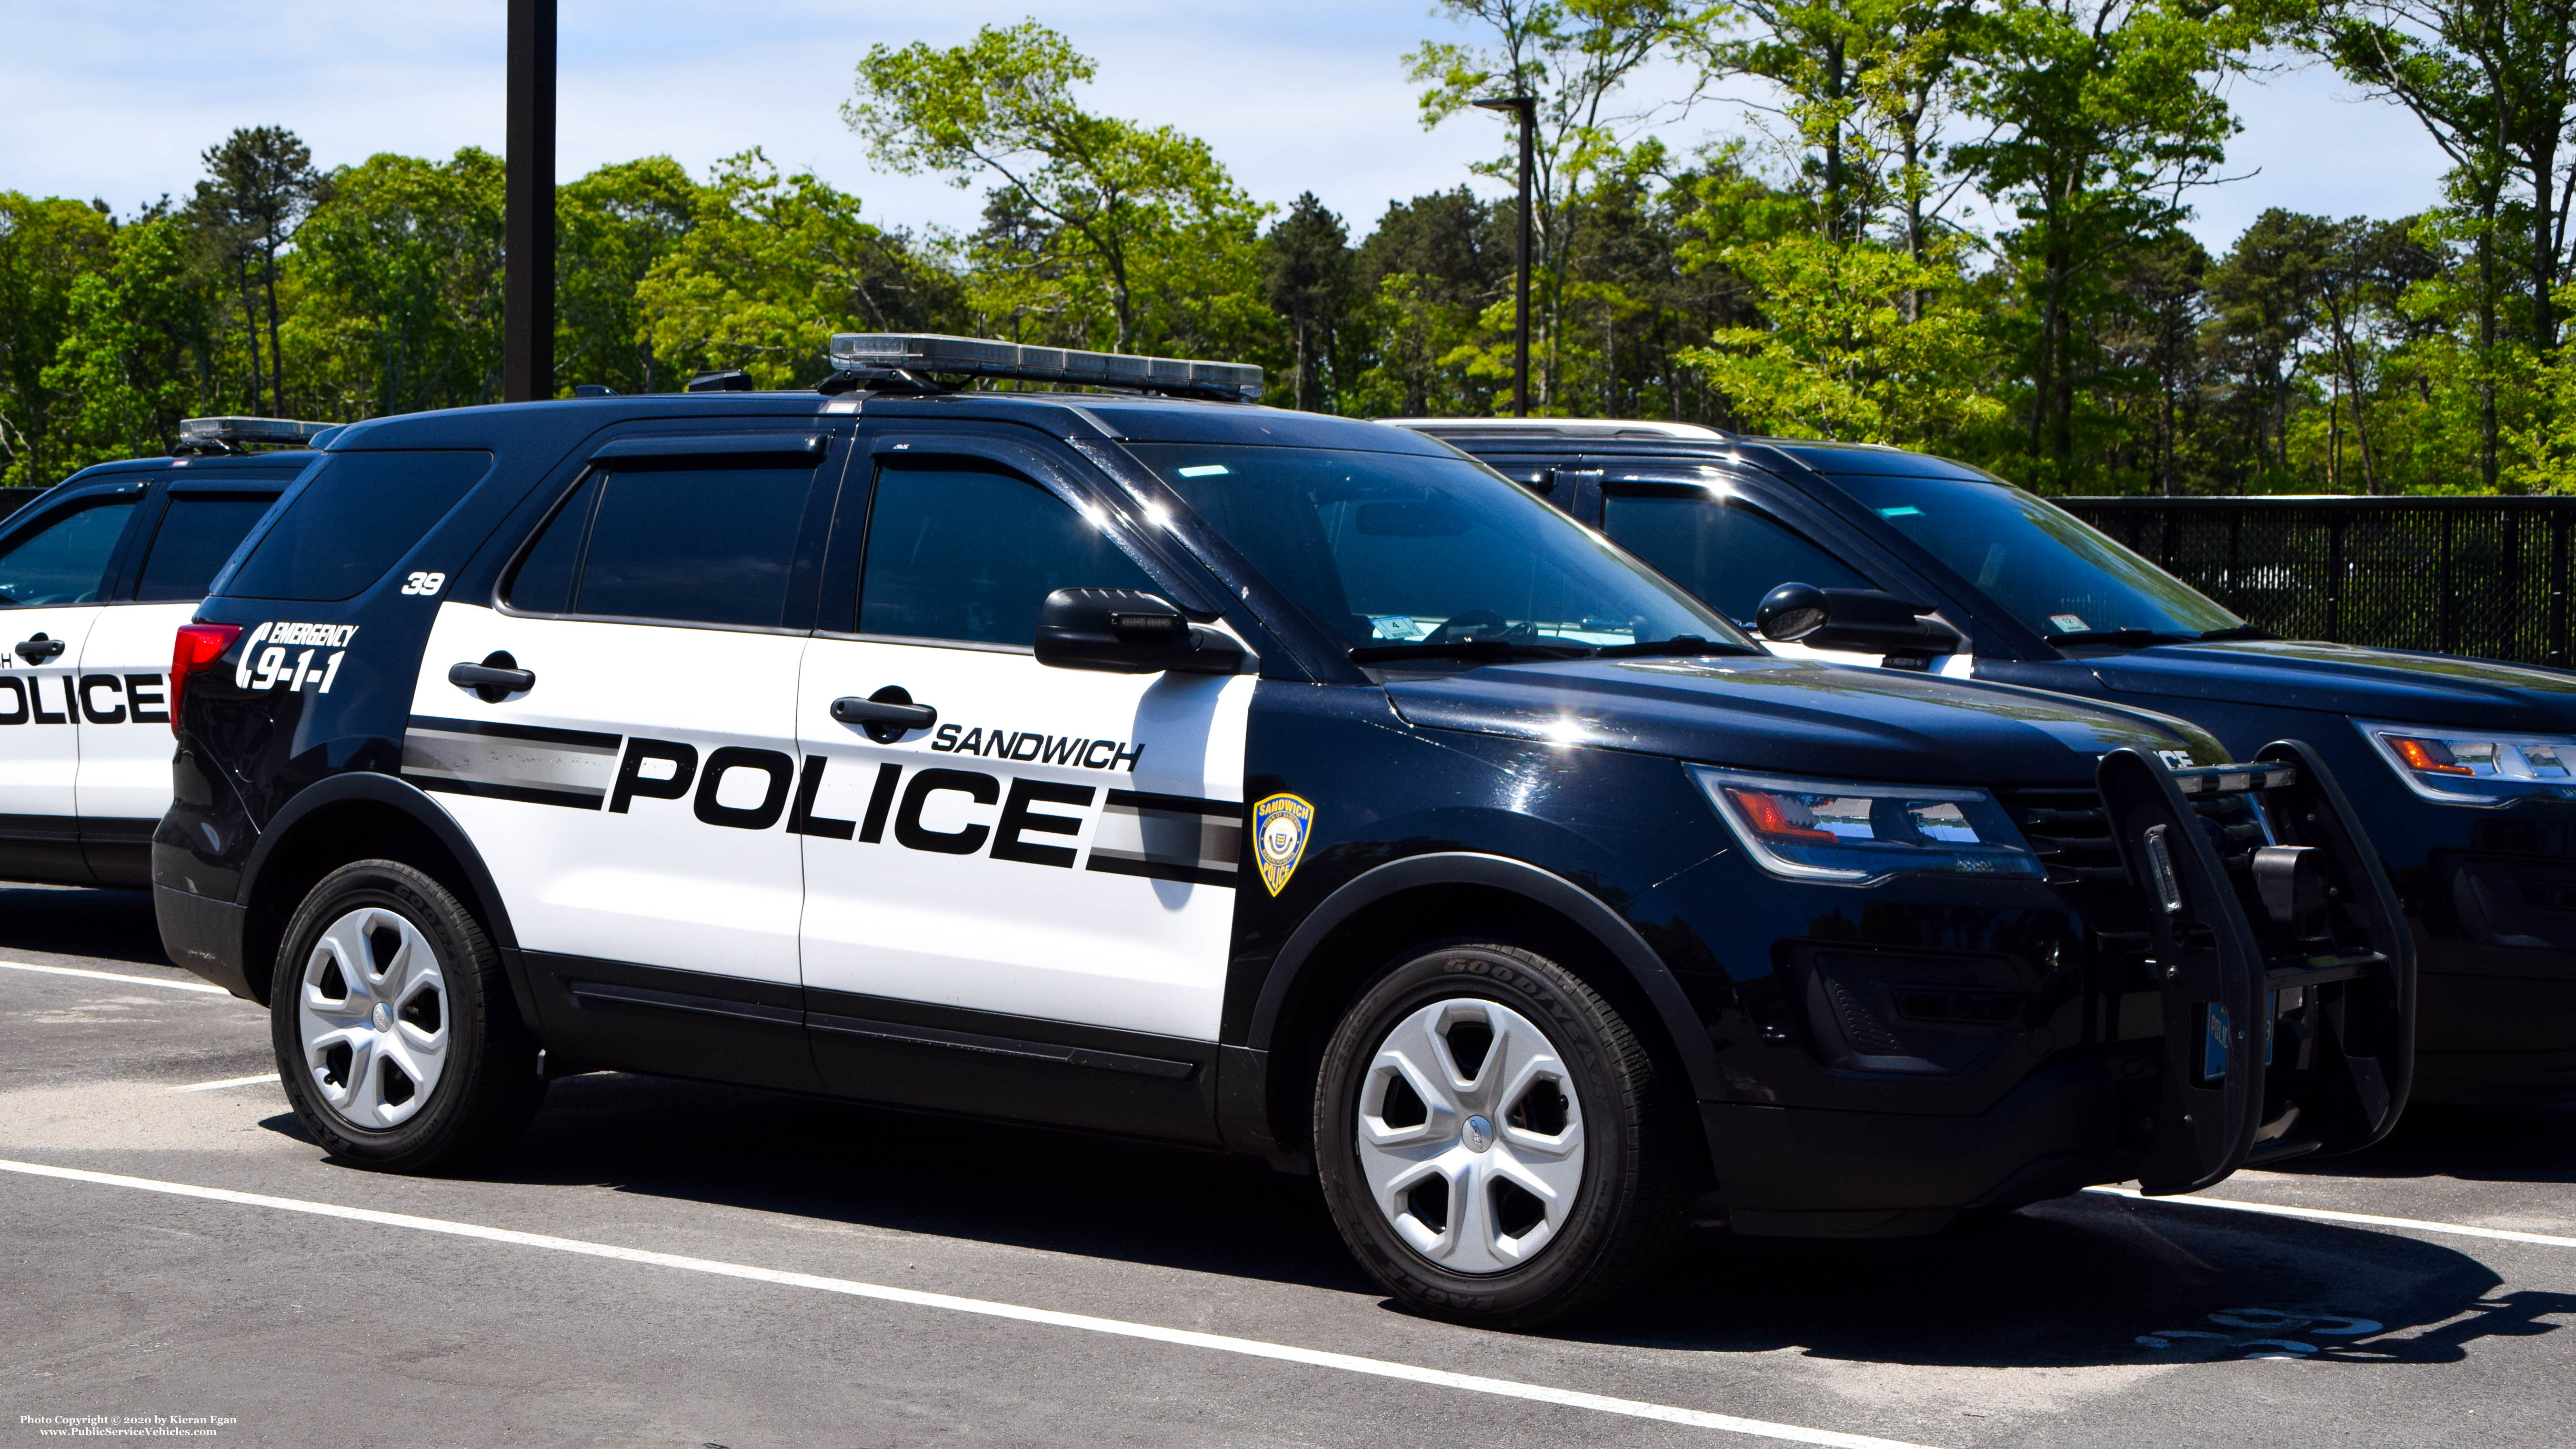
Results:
1117 233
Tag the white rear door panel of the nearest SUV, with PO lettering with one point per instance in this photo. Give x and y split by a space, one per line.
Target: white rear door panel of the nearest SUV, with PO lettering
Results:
535 783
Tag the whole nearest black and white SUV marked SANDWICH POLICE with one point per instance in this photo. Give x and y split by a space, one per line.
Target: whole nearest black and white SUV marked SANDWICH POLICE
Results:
1186 770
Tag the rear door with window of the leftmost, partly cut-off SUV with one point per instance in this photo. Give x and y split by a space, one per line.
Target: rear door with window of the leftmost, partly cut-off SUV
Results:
122 690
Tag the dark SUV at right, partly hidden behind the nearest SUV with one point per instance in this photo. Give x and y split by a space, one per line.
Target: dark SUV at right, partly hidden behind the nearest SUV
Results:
2461 770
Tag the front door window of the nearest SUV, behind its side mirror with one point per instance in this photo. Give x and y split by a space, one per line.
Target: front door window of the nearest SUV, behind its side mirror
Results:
962 553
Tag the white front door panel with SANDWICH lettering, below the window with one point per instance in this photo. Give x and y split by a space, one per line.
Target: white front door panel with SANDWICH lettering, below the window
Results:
1109 904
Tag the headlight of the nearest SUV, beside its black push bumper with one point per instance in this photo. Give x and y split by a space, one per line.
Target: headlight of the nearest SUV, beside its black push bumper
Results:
1861 834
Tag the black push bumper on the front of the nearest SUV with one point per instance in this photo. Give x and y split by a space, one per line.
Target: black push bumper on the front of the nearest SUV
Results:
2284 1038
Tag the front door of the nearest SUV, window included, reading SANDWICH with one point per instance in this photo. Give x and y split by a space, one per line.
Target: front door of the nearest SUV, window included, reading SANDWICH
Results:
1024 906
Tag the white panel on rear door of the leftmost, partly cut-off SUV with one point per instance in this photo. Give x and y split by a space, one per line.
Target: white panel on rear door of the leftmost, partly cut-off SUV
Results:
125 723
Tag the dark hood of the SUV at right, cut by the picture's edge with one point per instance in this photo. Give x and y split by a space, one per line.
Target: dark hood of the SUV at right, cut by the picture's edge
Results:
2348 679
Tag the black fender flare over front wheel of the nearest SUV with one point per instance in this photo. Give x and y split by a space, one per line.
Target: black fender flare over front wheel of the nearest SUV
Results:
1609 929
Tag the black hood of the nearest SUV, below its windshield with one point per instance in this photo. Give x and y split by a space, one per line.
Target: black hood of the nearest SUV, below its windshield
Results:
1799 718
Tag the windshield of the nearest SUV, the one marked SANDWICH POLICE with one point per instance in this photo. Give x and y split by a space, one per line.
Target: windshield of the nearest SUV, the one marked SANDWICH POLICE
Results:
1426 550
